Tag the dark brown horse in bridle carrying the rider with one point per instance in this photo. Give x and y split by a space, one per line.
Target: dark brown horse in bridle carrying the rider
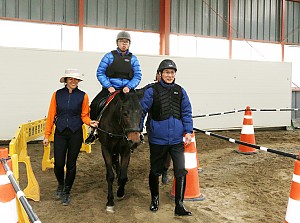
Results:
119 134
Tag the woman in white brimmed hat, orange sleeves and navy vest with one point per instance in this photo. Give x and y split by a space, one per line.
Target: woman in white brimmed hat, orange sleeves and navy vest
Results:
68 110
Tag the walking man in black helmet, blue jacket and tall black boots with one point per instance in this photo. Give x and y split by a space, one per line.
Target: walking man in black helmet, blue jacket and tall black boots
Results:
170 118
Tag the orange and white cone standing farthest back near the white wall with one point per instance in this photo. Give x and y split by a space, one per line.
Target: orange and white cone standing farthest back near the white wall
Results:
247 134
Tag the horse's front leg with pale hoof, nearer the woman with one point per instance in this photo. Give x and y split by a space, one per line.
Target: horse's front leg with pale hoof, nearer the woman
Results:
109 178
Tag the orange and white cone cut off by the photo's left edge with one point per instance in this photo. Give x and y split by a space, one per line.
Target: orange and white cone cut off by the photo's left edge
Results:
8 204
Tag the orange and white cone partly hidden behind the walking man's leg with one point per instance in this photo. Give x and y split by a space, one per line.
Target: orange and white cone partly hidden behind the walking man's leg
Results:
192 189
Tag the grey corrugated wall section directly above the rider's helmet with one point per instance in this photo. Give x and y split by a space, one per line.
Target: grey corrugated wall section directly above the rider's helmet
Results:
131 14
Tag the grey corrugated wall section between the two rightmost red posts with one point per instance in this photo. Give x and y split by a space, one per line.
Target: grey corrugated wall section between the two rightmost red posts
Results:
257 19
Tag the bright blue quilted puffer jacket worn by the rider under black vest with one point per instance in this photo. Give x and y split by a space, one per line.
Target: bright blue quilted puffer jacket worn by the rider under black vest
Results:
118 83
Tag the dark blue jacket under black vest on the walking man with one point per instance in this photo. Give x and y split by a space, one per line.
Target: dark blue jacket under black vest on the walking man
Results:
171 130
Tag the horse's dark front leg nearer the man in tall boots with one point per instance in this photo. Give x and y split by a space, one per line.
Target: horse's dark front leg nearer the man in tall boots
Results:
125 158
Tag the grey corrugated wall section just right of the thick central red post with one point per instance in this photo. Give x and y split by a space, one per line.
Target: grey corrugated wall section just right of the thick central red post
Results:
208 18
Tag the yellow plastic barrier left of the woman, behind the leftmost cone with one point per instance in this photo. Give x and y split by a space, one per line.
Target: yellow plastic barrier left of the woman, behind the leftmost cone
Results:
18 145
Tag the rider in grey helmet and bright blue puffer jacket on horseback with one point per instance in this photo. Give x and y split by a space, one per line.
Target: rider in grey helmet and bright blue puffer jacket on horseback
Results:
118 70
